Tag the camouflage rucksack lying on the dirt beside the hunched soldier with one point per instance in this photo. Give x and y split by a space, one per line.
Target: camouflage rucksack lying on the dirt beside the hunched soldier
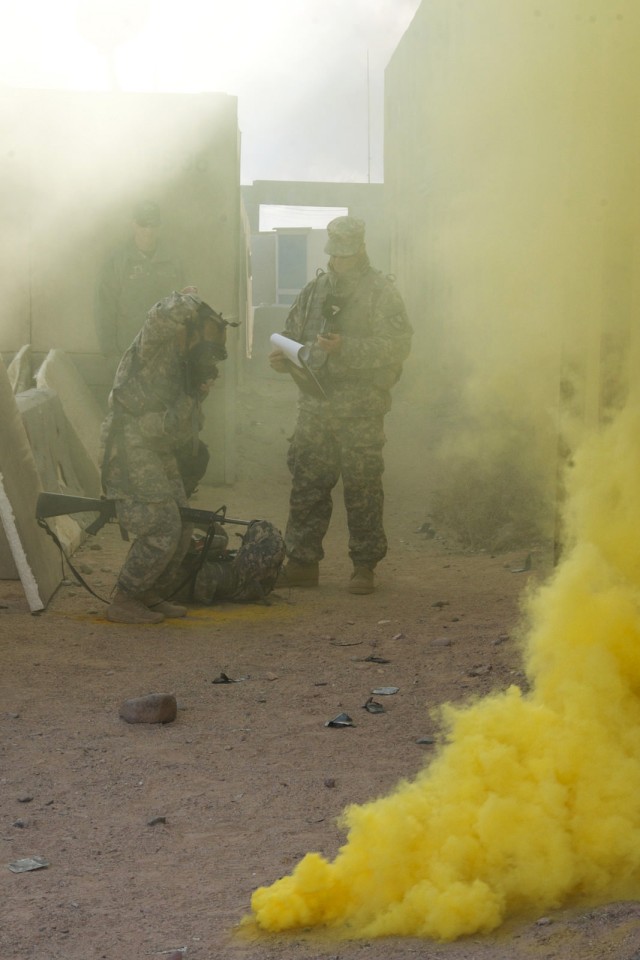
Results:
242 575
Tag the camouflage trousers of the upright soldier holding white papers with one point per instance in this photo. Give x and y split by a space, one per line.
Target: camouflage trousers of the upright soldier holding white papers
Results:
322 450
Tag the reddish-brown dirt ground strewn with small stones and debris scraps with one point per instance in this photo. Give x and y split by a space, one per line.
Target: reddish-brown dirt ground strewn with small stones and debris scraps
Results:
156 835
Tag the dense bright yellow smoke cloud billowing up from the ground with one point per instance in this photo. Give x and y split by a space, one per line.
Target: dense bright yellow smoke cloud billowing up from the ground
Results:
533 800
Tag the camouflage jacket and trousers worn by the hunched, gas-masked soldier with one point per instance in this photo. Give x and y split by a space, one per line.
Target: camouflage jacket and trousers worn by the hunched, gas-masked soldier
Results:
150 417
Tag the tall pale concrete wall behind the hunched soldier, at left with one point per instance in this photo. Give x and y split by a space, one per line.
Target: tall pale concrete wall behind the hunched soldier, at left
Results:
73 167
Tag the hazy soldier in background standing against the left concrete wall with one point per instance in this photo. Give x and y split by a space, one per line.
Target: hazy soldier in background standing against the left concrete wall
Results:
136 274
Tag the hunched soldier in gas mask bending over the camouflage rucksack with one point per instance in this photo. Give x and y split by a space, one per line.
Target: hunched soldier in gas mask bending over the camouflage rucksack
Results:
153 409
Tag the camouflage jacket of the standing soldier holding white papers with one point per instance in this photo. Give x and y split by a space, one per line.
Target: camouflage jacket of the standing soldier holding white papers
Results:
369 314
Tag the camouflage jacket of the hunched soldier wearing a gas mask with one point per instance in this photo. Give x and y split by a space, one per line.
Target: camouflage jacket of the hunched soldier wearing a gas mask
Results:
149 408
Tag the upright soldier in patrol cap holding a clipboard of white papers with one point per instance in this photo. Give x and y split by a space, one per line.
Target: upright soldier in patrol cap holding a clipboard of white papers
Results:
356 335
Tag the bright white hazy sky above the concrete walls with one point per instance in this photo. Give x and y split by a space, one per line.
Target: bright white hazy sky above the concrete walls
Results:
308 74
